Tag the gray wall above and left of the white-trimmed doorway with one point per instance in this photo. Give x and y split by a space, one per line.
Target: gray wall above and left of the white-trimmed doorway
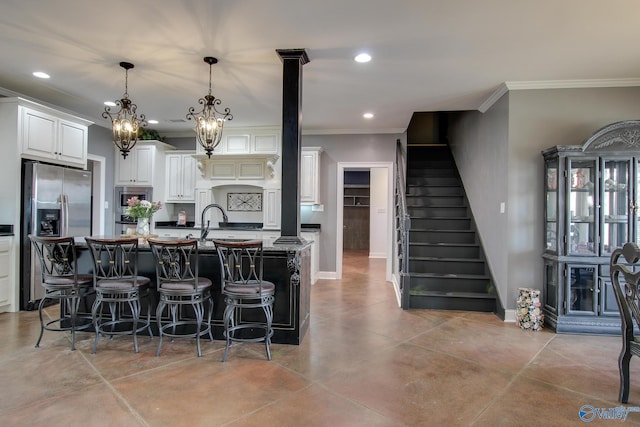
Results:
341 148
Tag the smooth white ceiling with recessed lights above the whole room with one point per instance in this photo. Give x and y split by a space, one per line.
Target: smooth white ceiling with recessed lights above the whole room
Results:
428 55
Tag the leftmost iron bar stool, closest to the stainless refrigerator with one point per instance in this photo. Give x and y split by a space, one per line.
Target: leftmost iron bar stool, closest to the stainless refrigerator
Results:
61 282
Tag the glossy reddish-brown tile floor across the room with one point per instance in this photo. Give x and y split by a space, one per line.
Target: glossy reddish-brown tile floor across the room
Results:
364 362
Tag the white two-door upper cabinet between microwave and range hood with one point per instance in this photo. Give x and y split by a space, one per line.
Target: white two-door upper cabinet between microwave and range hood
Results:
181 177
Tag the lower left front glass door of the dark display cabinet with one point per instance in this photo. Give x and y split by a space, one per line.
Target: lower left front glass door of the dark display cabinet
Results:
582 291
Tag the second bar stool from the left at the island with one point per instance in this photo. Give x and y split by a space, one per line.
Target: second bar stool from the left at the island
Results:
116 282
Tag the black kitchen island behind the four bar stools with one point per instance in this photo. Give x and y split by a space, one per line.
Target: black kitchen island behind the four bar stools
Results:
287 266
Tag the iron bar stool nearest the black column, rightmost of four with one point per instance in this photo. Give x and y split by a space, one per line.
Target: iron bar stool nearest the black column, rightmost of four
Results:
243 289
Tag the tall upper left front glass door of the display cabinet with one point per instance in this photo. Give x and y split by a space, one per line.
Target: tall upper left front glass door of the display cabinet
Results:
582 223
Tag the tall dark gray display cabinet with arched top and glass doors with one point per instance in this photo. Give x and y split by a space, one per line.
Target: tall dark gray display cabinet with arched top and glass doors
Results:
591 208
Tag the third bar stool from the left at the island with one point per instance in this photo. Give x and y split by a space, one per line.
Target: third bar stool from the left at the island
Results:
179 286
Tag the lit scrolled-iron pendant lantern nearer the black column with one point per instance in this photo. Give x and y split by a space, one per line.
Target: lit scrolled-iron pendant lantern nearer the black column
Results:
209 121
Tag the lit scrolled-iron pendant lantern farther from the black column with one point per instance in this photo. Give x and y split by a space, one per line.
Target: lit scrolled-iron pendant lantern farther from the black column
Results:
126 122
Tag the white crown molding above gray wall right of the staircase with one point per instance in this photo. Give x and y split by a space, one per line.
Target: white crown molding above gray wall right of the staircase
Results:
555 84
